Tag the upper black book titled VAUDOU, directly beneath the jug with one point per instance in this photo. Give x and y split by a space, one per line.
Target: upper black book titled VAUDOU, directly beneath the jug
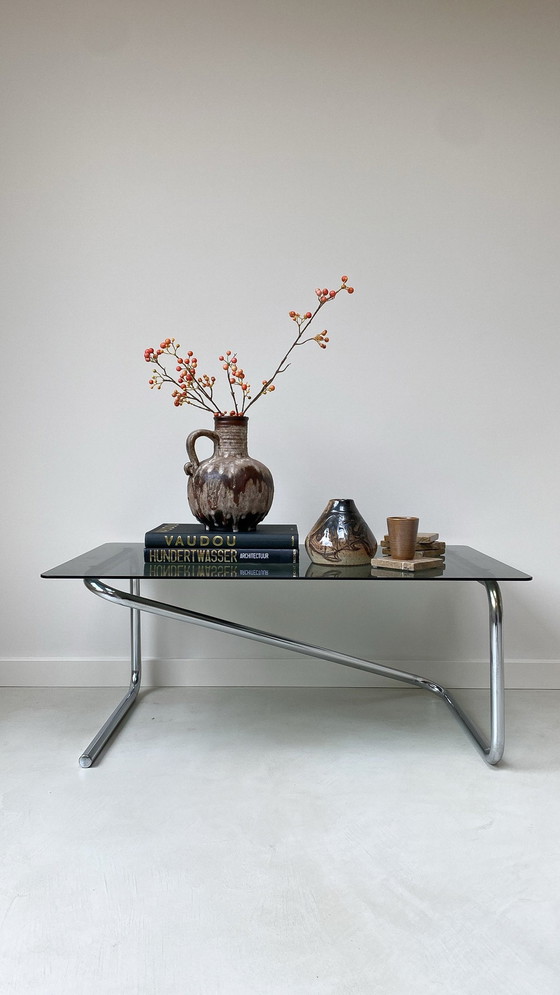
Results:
196 536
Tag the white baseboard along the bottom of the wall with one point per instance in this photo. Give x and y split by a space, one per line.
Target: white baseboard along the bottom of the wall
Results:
281 672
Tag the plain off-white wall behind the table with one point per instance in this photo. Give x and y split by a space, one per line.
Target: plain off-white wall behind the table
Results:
188 169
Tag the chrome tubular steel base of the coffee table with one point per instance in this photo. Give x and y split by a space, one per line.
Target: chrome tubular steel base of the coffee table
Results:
492 749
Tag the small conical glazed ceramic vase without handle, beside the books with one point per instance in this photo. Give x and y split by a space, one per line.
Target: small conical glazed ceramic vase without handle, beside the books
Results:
341 536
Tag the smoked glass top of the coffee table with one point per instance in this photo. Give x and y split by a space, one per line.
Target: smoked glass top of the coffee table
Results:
125 561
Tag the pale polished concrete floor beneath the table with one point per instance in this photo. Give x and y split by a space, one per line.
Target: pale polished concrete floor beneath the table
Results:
284 841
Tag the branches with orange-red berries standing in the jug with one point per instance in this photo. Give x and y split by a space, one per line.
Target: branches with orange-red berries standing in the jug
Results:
198 390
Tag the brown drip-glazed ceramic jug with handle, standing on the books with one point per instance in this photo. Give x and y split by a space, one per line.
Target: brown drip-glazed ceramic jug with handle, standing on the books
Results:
230 491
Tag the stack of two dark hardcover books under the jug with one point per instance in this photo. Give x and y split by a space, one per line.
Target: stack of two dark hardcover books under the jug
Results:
271 550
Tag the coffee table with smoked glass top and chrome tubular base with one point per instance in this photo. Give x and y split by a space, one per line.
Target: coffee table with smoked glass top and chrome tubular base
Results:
125 561
